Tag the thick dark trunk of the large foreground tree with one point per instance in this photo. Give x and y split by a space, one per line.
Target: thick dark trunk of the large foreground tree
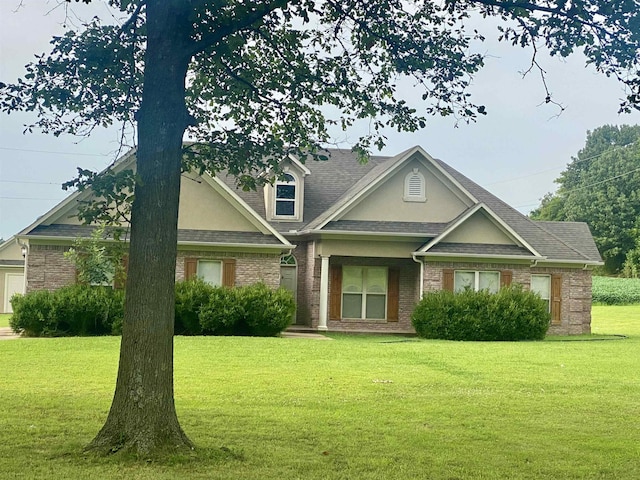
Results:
142 418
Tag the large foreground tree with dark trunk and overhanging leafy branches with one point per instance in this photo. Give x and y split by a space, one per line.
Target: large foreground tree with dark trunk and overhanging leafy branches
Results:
251 82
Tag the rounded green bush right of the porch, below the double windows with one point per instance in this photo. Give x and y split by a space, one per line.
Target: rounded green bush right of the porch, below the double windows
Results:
509 315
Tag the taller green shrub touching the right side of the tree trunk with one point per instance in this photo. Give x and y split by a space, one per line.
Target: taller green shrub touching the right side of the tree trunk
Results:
190 296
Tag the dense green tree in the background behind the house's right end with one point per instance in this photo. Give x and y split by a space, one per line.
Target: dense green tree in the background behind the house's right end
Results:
601 186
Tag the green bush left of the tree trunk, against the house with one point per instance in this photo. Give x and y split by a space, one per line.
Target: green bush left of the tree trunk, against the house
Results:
72 310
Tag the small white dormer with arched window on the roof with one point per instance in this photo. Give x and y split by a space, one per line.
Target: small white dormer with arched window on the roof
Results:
284 199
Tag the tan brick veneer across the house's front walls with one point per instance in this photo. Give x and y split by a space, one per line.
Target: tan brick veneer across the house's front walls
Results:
48 269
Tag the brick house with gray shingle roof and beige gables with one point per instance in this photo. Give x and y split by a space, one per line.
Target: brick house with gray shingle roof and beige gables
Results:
357 244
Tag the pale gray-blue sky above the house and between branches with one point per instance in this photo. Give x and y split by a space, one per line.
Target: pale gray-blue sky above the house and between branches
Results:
515 151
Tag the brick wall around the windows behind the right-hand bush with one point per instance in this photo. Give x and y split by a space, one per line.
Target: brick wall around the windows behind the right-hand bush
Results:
576 289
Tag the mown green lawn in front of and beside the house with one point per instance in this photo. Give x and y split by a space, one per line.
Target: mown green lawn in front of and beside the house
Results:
360 407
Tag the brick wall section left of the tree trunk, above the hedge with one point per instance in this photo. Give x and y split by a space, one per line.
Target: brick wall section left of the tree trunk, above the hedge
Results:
48 269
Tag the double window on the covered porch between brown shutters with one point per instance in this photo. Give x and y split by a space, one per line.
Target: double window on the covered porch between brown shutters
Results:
364 292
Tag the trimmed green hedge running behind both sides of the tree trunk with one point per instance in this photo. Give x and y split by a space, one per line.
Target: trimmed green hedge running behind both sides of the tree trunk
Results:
254 310
